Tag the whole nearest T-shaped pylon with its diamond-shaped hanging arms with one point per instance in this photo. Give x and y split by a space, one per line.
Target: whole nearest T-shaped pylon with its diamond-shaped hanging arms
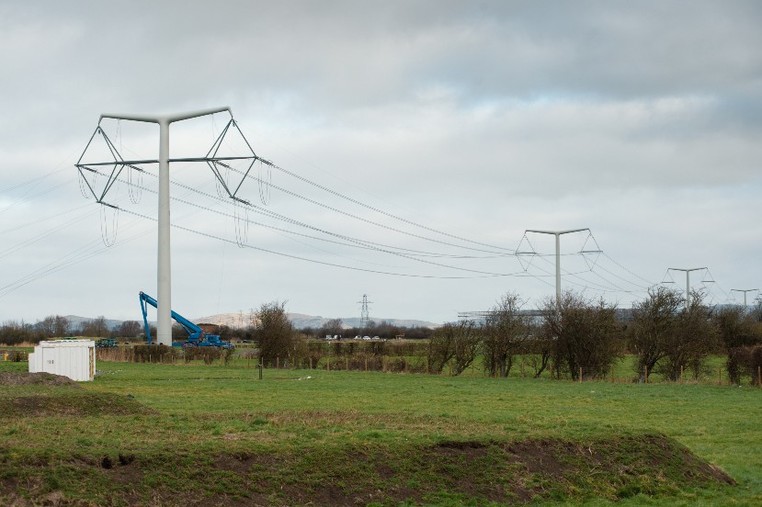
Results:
117 164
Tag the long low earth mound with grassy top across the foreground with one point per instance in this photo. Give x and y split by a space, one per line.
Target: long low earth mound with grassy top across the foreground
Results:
452 472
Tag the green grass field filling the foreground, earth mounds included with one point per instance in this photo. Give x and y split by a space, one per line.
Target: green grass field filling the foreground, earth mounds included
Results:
141 433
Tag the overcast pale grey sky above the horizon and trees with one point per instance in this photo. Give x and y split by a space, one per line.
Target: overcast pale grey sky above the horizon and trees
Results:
418 141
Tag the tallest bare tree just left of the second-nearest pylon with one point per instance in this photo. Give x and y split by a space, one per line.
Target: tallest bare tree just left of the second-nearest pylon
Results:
505 331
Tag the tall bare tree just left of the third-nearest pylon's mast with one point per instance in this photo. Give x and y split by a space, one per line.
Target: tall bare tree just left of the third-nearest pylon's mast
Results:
654 322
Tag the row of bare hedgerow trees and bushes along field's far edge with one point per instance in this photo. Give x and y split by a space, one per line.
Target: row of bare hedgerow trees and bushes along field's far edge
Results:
574 337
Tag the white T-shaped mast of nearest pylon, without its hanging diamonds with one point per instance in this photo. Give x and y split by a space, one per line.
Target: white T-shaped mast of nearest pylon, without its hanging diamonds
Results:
164 271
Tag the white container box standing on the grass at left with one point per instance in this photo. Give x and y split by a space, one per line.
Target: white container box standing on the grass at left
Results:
71 358
